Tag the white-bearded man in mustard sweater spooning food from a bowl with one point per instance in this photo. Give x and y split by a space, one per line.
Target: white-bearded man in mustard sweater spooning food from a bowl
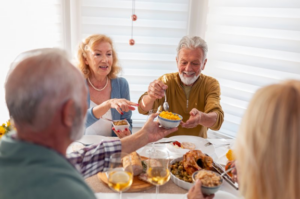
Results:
194 96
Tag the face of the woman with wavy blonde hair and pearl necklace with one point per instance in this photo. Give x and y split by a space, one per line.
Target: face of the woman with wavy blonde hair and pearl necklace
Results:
100 59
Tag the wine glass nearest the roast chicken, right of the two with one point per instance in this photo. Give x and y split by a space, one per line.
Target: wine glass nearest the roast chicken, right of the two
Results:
158 168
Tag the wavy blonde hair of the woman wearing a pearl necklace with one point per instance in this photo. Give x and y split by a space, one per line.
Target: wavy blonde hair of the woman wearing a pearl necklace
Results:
88 44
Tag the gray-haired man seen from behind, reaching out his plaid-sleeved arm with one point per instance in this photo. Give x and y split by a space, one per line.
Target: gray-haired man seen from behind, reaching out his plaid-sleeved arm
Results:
46 98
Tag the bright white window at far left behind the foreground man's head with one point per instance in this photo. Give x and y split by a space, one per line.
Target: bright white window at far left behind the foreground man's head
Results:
27 25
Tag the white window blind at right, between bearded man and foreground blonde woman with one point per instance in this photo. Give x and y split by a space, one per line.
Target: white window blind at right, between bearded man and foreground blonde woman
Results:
252 43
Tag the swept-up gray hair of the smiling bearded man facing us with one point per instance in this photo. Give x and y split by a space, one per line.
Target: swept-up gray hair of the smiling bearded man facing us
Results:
192 43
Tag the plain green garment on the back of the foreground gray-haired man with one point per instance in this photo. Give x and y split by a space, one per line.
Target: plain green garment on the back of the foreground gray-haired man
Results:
30 171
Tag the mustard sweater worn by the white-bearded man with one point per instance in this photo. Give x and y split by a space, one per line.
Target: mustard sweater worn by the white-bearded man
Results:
204 96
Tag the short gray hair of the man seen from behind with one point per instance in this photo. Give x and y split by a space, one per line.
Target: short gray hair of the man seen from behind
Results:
38 83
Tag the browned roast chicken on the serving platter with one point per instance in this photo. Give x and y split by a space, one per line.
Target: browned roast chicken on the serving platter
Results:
195 160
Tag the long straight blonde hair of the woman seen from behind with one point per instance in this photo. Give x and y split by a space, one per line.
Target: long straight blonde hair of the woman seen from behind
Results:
268 144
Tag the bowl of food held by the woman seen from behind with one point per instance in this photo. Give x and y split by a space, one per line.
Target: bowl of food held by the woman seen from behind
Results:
210 181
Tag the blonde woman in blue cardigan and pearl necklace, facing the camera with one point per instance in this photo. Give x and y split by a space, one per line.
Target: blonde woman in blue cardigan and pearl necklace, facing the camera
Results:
108 96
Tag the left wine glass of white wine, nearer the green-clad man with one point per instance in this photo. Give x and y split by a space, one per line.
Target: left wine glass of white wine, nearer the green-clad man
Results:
120 174
